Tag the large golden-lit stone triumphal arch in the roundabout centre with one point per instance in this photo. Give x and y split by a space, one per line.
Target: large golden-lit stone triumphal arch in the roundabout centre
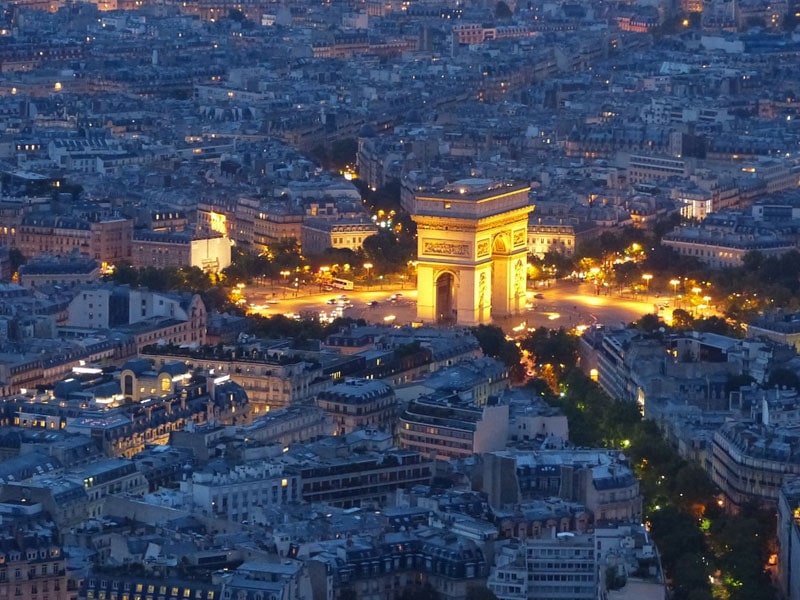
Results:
472 251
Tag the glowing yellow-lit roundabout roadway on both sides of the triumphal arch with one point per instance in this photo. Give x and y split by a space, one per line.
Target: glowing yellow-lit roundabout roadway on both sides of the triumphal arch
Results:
566 304
